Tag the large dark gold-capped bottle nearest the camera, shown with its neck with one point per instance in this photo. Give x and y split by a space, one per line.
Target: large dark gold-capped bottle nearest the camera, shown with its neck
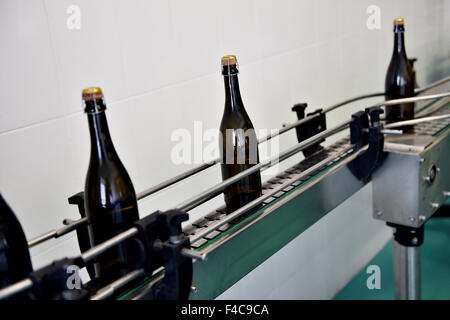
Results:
110 199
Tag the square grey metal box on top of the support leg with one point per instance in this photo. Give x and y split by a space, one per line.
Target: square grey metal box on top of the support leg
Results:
414 179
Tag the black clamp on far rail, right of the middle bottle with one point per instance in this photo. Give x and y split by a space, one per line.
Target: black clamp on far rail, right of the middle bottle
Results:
316 124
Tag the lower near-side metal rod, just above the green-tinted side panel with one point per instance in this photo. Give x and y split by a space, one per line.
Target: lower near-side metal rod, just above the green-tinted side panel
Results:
261 199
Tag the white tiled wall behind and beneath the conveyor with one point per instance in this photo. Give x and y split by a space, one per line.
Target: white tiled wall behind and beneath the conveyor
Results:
158 64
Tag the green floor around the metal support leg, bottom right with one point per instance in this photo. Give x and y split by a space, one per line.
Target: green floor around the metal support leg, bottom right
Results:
435 272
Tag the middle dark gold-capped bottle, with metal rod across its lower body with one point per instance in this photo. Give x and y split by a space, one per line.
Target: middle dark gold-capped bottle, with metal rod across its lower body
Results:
238 143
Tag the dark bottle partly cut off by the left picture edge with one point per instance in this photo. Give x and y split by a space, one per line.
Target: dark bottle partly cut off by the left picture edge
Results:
15 261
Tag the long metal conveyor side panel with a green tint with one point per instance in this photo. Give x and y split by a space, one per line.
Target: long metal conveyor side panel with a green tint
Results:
293 214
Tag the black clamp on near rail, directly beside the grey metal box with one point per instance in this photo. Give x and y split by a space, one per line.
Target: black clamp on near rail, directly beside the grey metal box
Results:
361 133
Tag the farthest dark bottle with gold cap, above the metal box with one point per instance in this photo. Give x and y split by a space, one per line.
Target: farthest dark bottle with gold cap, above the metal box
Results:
399 79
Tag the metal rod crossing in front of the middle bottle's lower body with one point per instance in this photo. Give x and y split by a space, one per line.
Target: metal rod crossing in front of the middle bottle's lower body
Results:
196 200
